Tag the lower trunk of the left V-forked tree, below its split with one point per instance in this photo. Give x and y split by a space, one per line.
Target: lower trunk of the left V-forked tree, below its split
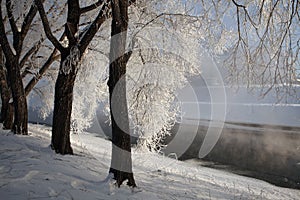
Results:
20 125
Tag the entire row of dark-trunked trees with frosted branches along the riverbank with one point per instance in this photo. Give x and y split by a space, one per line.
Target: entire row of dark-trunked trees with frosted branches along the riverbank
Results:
260 43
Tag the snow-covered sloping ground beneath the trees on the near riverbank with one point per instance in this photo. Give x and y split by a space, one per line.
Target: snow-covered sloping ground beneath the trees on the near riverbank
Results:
29 169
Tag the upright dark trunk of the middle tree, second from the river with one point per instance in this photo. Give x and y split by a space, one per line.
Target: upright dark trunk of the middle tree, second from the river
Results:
64 85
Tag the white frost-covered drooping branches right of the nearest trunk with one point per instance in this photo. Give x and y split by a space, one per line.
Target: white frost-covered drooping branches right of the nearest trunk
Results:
256 43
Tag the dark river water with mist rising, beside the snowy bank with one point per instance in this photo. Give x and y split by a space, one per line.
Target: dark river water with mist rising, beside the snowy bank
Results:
270 153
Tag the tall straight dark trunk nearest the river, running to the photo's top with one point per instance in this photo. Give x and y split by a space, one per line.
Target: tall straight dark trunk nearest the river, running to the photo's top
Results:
121 162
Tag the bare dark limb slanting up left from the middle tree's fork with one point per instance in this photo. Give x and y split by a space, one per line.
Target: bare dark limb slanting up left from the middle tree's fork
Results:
46 25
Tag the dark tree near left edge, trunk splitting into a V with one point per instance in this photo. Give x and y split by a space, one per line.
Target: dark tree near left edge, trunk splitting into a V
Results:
13 51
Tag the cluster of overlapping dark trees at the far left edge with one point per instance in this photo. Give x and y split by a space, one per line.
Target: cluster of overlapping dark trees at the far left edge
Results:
21 44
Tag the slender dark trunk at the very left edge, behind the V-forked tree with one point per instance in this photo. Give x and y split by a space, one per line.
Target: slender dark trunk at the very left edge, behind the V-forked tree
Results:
7 111
